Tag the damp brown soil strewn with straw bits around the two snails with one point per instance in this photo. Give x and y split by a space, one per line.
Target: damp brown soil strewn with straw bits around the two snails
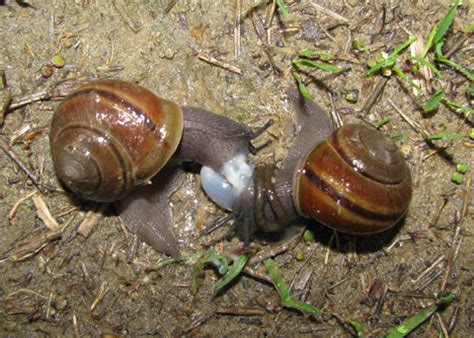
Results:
97 285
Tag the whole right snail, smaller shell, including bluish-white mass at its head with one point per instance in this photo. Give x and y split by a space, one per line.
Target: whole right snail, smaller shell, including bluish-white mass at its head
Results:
353 179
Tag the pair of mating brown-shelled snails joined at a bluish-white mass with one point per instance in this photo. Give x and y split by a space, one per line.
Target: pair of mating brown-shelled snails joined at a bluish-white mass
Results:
110 137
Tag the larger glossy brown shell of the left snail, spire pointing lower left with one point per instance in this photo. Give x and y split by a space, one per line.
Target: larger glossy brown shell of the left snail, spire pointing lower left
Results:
109 136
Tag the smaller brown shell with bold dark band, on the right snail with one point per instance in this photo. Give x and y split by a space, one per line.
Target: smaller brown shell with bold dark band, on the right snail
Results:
355 182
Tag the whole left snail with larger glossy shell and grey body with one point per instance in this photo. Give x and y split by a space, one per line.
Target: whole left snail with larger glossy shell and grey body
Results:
109 137
